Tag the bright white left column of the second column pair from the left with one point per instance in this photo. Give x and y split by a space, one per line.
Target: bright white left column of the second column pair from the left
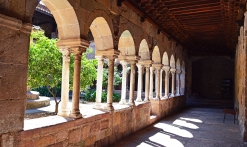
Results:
99 81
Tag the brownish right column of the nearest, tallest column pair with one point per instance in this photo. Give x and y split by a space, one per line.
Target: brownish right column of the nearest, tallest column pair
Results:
75 112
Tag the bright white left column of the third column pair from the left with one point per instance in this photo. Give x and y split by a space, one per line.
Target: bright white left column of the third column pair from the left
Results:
124 80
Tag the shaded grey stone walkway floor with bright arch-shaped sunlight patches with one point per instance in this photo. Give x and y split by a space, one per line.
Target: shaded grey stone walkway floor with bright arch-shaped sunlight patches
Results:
193 127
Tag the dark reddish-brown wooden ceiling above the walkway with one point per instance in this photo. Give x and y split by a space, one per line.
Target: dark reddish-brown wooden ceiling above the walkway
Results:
202 26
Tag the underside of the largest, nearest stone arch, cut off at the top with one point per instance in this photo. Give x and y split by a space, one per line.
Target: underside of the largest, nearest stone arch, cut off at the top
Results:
65 16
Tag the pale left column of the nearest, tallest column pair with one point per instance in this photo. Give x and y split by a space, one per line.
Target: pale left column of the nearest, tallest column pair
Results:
64 108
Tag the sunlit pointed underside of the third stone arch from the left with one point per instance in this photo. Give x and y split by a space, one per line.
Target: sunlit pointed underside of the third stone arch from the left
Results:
126 44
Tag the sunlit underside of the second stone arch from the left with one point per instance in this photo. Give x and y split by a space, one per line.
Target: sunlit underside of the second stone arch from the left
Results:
102 34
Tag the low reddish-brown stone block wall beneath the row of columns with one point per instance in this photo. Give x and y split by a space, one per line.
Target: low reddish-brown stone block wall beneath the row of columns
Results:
98 130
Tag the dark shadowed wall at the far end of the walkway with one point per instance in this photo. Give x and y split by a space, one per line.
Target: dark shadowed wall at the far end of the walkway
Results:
208 75
